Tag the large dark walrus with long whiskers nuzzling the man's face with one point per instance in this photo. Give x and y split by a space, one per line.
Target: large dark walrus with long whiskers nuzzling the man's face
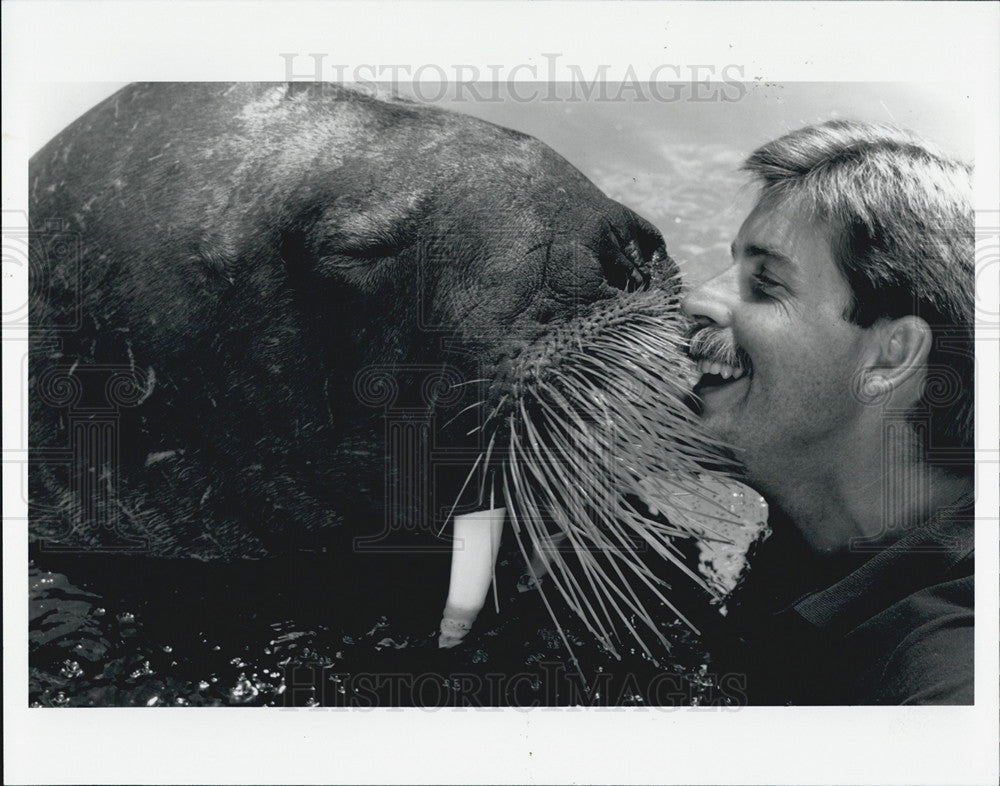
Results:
268 318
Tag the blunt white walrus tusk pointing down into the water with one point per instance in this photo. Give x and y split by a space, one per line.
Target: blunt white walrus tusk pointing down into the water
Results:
473 555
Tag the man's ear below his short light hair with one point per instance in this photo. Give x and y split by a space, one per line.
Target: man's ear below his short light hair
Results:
899 353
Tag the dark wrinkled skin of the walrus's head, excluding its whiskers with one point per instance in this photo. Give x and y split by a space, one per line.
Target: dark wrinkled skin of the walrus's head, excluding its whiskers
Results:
237 286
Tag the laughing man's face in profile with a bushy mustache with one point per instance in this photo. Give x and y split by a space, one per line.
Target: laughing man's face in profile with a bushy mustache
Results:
786 397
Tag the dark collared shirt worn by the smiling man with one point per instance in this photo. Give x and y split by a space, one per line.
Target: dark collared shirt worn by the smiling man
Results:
897 629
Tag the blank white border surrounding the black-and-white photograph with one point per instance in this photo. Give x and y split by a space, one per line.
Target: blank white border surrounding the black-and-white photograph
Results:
88 42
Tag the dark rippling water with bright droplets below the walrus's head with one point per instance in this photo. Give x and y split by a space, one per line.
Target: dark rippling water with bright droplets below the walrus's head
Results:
318 631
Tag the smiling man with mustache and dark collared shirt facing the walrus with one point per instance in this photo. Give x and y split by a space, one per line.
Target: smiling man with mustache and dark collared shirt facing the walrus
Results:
837 358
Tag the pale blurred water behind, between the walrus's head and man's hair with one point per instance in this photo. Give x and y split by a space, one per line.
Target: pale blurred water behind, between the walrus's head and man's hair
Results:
676 162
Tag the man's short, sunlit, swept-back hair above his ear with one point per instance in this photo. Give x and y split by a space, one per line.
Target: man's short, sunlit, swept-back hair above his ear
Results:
903 234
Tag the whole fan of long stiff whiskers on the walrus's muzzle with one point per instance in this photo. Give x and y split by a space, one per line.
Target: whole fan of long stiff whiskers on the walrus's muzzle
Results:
596 409
